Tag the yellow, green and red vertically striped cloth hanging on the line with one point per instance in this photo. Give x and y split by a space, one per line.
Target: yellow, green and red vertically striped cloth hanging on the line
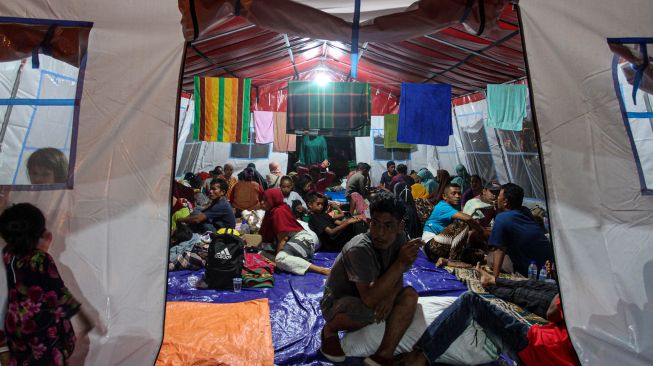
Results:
222 109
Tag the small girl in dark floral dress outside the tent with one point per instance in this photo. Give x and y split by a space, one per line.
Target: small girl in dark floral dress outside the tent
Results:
37 323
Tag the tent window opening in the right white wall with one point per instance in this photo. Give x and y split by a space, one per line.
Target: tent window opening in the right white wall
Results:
629 69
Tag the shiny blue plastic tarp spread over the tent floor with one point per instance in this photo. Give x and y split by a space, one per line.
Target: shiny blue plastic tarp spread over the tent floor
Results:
295 313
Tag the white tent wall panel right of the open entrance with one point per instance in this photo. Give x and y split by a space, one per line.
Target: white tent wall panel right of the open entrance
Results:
601 223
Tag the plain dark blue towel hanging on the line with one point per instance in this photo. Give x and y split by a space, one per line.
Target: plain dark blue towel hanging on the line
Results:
425 114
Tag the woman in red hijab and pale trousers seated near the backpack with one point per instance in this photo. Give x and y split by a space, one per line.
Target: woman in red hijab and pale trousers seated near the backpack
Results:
294 246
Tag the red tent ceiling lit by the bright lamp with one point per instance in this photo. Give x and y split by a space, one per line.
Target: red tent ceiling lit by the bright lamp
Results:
238 48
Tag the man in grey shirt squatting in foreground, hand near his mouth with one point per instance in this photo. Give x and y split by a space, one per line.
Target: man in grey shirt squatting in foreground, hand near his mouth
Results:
366 283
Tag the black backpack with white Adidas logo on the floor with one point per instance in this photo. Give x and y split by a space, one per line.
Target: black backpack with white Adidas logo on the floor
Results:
225 259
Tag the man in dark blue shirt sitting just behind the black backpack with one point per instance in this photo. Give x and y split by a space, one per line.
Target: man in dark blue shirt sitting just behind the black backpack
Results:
217 214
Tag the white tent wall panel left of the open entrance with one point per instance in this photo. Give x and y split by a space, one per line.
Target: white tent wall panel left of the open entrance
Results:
111 230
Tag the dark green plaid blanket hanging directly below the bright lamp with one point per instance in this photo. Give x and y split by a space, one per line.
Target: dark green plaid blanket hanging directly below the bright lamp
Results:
335 109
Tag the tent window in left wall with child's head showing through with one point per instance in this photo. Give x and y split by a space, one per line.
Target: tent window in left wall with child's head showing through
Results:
39 100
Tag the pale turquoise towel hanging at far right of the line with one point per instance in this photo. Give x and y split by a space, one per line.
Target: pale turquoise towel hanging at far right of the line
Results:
506 106
